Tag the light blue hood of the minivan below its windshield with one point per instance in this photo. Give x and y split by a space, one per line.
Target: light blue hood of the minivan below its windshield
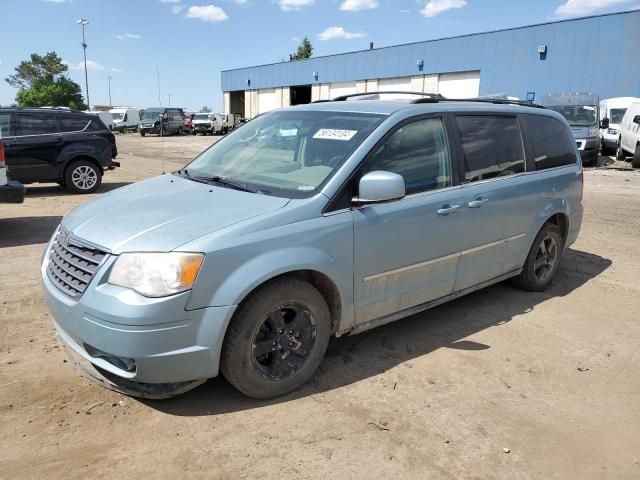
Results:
162 213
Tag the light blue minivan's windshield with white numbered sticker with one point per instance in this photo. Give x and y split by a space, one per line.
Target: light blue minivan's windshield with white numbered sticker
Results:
285 153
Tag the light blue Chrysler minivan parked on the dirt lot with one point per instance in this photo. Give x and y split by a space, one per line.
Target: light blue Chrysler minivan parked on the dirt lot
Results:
307 223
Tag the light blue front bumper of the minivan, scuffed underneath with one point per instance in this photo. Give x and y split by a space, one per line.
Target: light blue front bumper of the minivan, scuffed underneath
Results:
132 341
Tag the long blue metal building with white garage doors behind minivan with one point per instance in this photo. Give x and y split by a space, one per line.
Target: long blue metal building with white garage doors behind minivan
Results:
600 54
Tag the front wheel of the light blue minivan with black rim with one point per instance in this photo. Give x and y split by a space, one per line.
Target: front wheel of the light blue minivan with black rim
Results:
276 339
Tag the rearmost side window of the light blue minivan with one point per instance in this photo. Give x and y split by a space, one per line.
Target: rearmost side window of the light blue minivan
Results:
552 142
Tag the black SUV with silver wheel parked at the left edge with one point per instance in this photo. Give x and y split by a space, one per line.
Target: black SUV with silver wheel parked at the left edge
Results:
57 145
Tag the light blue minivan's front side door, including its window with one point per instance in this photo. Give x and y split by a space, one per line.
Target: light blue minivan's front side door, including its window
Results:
406 252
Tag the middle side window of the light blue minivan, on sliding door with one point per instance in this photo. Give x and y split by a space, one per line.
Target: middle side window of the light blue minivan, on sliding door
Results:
492 146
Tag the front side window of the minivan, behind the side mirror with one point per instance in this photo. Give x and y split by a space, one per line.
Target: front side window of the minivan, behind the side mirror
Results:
419 152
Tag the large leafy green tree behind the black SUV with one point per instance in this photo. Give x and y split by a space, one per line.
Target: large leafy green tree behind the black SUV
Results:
42 82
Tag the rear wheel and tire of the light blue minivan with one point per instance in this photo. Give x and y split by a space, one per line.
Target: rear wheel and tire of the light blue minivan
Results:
543 260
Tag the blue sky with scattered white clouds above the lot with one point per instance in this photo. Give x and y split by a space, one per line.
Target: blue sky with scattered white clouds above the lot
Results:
192 41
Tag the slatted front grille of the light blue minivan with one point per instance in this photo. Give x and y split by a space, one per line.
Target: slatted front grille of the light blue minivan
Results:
72 264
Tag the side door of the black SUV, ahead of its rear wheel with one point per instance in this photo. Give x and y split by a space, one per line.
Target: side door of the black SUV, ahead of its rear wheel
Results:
33 151
